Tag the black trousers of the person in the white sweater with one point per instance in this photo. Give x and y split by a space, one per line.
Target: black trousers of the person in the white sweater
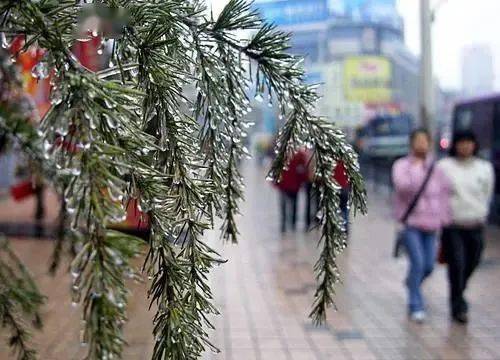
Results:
462 248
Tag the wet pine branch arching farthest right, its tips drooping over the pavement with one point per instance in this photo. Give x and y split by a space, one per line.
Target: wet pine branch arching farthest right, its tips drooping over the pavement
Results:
283 74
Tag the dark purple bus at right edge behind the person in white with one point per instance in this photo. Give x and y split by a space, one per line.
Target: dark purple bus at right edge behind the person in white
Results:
482 116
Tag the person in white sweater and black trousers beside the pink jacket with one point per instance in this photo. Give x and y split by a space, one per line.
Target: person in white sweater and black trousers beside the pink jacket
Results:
471 190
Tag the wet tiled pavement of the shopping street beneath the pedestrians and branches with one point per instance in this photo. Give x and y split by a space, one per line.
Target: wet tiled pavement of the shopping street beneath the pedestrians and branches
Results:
265 291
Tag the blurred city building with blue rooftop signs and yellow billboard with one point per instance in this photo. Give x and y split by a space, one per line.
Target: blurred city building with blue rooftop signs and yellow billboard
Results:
355 48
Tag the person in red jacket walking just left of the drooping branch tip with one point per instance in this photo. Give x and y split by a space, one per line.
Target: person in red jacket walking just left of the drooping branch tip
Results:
292 179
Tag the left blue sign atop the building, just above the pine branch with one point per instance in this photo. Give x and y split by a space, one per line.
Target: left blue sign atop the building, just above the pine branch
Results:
292 12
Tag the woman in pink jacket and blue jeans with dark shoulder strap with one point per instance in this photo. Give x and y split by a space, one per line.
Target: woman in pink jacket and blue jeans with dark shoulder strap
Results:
419 204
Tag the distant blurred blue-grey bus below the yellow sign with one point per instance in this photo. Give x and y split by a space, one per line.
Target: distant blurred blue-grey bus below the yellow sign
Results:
386 136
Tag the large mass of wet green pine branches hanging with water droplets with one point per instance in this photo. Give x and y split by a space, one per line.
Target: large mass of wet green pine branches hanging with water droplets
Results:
164 125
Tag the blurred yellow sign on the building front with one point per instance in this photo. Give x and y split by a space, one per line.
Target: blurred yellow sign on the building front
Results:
368 79
